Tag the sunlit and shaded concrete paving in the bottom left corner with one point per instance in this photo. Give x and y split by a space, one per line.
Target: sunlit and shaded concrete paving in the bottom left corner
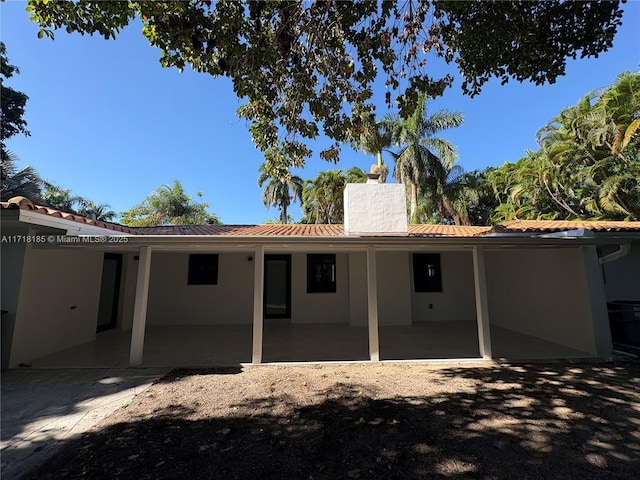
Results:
41 409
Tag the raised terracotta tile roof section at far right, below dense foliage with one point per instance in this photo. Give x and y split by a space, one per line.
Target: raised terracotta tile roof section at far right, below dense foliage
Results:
563 225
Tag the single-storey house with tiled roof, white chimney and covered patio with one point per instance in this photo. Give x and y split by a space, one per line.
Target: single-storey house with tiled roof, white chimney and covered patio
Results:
79 292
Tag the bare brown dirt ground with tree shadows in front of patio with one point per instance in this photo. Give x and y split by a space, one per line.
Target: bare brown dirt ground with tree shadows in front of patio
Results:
370 421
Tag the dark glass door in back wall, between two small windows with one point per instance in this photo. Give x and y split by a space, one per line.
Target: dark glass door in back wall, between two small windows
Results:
277 286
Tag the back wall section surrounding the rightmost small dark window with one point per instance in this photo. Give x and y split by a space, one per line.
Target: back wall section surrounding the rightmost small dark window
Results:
457 299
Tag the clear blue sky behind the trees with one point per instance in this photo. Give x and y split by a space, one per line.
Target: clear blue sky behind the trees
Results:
108 122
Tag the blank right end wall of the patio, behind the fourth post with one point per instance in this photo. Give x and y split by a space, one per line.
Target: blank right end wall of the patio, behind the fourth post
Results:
543 293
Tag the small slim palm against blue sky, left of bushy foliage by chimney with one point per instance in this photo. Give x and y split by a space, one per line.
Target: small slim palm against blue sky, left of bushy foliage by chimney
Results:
281 187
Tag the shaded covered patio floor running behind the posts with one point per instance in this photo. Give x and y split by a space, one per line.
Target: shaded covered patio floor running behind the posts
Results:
284 342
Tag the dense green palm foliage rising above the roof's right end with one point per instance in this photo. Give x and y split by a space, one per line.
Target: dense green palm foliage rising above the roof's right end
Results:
588 165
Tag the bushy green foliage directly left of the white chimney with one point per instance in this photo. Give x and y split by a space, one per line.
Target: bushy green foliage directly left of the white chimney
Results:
323 197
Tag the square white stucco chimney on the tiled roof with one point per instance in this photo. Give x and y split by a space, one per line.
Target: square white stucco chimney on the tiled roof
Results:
372 209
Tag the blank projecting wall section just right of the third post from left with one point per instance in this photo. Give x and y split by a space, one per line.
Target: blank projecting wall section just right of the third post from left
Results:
394 283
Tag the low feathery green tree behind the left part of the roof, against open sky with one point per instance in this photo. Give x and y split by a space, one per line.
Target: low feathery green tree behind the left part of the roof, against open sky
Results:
169 205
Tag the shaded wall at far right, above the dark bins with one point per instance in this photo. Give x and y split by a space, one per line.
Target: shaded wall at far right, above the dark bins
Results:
622 276
